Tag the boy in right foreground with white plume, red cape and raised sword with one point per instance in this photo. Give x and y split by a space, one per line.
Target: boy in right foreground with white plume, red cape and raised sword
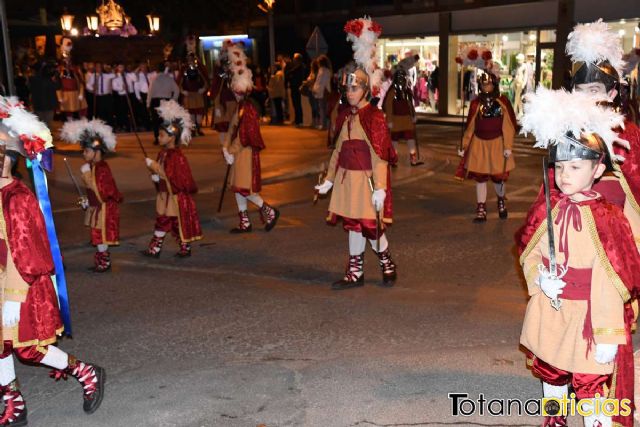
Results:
577 326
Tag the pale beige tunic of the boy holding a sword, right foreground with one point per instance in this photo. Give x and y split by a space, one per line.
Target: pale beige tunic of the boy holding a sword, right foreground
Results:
556 336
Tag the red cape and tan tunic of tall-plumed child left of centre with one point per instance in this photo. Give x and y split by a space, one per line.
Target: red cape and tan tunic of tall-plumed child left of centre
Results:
245 143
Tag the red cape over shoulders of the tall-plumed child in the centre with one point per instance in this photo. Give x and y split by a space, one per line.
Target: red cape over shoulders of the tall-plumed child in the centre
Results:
375 126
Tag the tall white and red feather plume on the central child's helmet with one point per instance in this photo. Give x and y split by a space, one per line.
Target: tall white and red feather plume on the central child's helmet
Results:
363 33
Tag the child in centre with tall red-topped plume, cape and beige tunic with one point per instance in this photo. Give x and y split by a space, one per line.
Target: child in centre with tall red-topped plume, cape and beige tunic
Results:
359 169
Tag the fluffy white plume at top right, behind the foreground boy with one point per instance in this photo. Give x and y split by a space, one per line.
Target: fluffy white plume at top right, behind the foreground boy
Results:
593 43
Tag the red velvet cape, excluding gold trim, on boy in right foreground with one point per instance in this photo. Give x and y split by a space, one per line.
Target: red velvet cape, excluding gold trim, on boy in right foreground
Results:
617 240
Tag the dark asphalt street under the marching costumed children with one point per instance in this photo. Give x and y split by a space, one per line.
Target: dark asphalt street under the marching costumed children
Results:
247 332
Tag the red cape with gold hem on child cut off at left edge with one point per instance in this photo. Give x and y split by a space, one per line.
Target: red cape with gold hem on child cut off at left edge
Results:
27 248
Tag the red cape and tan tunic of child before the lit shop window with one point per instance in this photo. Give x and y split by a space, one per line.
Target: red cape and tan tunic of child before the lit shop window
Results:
488 133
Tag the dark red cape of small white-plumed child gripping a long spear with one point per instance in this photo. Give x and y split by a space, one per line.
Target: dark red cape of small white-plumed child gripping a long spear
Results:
178 172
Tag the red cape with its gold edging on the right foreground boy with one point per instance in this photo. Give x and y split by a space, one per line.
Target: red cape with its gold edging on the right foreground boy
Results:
613 236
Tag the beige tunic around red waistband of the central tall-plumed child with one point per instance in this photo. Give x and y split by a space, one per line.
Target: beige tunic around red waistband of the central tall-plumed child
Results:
351 195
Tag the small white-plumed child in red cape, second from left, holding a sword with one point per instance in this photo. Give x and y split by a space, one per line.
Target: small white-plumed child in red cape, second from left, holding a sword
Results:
103 198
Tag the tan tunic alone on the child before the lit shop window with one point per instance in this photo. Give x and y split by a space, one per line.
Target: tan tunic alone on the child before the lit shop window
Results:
486 156
